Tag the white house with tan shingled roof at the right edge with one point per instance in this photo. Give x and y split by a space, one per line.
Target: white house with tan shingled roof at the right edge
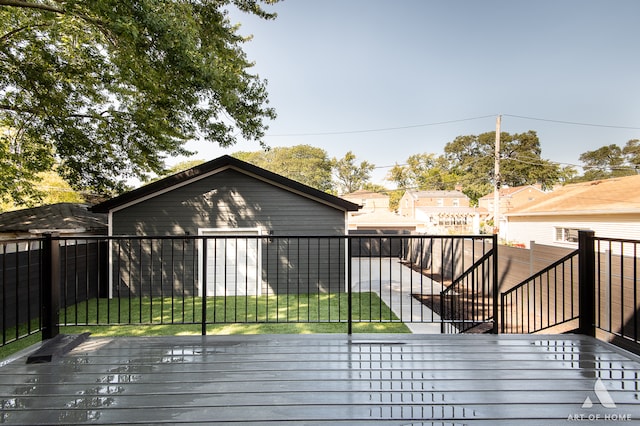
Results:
610 208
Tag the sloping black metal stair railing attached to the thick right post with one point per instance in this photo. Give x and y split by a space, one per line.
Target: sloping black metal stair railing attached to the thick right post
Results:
545 300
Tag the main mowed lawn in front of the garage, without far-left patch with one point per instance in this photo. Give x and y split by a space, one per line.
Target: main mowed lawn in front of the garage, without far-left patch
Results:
220 312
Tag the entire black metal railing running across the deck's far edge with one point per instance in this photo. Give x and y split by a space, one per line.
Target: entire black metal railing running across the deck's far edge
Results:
448 281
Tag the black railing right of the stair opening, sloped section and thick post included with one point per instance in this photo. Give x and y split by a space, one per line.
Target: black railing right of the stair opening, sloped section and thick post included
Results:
593 291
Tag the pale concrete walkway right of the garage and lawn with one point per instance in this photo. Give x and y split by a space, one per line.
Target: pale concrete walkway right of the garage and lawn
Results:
395 283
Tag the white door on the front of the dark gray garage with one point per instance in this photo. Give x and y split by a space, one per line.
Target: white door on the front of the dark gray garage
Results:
233 262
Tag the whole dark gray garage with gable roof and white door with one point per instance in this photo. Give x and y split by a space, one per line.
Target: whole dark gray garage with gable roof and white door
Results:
242 217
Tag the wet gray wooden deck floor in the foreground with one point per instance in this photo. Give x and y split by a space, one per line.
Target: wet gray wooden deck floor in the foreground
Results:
327 379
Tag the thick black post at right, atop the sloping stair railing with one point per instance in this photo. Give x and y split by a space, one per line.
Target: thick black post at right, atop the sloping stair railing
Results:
586 282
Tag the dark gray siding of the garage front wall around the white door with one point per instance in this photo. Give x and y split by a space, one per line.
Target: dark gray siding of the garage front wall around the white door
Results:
230 199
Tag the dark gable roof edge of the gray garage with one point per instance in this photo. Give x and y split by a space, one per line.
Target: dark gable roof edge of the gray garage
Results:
216 166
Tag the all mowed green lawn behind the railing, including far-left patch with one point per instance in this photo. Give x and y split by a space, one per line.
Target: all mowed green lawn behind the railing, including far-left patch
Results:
281 314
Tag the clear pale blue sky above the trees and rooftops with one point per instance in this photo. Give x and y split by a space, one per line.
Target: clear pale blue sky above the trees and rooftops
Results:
347 66
